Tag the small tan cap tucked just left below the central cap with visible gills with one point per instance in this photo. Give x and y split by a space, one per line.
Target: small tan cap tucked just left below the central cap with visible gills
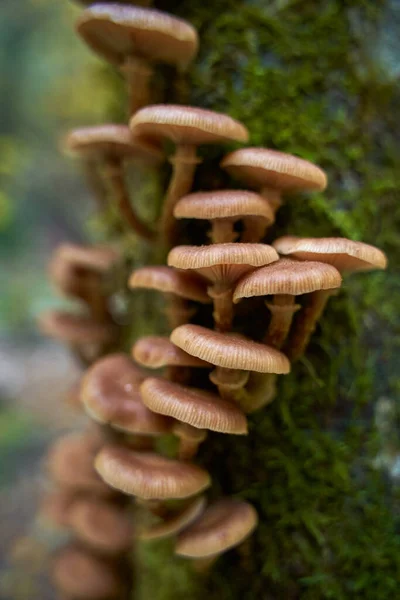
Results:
170 281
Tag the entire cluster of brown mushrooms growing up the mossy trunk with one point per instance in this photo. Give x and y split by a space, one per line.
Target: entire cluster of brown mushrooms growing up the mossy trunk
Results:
96 473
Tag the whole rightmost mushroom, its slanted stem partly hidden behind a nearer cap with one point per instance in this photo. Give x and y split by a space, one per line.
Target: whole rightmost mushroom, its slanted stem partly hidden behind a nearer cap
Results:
345 255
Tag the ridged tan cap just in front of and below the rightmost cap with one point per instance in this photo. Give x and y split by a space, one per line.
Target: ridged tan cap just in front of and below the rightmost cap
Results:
290 277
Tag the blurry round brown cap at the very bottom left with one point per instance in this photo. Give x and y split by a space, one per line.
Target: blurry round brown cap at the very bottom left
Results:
80 575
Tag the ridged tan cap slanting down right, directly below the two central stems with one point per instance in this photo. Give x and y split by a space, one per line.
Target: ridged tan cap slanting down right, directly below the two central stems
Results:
229 350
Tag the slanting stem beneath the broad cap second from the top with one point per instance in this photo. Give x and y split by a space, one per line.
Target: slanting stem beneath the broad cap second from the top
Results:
184 164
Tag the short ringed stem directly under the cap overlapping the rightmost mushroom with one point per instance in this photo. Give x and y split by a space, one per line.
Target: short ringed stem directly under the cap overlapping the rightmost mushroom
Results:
282 310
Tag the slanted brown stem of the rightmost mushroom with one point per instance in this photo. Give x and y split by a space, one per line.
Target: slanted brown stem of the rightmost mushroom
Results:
306 323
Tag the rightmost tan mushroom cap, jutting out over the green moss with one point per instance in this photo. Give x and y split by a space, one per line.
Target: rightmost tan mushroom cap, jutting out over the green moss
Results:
342 253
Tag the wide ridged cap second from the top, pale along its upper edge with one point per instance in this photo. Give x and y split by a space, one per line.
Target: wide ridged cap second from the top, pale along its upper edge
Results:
186 125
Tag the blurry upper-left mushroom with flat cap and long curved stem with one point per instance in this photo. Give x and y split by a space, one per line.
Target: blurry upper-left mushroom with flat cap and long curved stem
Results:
108 147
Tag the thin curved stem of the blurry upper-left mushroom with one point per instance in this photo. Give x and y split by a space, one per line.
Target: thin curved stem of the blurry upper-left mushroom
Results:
115 177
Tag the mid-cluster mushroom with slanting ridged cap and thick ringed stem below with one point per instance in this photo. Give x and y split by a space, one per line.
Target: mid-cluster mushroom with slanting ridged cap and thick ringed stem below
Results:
233 356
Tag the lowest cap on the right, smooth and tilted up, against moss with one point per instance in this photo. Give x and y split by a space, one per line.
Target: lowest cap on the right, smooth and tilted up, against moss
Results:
222 526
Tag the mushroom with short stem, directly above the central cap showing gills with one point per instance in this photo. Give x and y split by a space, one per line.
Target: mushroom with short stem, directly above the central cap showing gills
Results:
224 209
